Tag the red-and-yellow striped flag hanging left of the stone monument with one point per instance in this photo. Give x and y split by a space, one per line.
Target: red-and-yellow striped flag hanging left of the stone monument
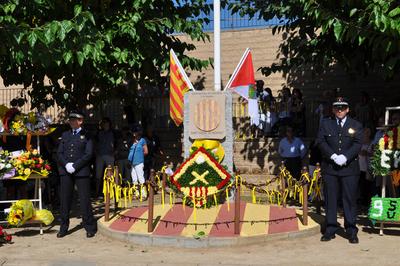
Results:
179 84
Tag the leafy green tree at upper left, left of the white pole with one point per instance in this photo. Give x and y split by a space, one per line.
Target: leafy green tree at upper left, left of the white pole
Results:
90 49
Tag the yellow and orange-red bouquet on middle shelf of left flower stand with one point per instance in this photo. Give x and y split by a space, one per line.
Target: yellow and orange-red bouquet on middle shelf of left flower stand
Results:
28 162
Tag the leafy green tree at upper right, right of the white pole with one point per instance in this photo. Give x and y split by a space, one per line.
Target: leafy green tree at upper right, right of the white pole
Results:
362 35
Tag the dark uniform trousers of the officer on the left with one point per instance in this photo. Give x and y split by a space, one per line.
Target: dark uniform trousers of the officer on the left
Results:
67 183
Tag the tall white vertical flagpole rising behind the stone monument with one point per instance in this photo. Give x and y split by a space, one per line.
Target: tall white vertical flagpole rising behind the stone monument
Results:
217 45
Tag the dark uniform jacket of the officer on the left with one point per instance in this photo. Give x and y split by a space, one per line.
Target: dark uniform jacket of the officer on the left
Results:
76 149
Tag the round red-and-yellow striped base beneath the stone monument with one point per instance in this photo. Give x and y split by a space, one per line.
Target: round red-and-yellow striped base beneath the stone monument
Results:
280 219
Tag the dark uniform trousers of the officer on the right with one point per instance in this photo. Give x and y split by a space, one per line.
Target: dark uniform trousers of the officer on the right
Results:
349 188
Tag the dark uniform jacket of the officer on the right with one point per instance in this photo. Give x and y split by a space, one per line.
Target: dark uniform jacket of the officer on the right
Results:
346 140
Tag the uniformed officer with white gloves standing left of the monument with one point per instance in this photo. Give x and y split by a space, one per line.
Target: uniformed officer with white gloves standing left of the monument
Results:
74 153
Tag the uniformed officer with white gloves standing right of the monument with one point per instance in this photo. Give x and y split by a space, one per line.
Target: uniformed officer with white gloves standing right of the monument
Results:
339 140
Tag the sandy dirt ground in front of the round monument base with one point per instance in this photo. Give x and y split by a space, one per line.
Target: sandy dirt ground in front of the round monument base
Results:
31 248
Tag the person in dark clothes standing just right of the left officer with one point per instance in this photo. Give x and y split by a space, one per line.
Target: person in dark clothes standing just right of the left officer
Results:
104 152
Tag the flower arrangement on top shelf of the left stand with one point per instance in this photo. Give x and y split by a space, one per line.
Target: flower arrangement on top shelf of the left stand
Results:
17 123
